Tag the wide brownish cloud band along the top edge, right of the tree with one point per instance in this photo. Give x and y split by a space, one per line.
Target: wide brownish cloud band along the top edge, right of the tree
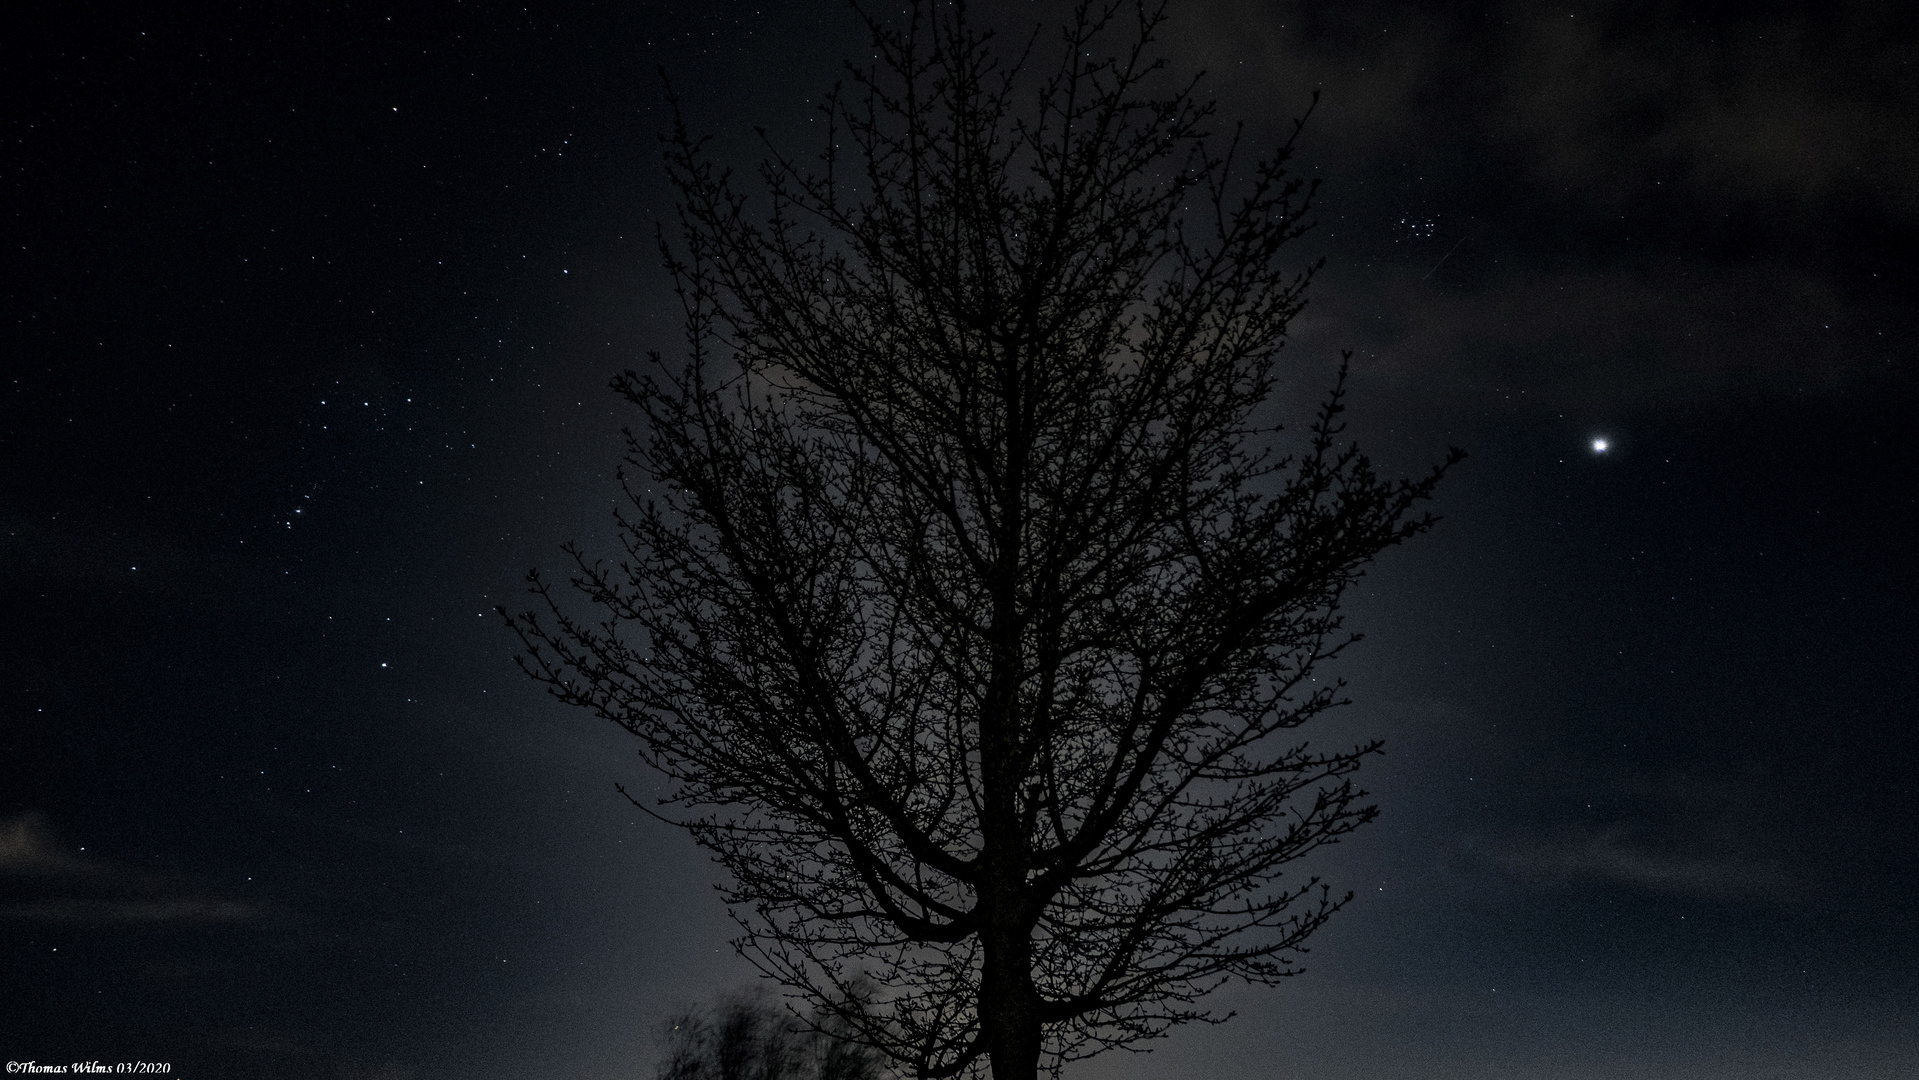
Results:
1766 103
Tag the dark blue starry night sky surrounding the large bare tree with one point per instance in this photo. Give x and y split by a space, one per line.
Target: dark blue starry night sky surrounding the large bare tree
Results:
308 323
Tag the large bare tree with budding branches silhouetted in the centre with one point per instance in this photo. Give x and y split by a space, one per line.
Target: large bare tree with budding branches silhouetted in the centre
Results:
968 599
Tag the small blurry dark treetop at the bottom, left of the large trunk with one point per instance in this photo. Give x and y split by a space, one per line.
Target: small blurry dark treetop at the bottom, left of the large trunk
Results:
749 1037
